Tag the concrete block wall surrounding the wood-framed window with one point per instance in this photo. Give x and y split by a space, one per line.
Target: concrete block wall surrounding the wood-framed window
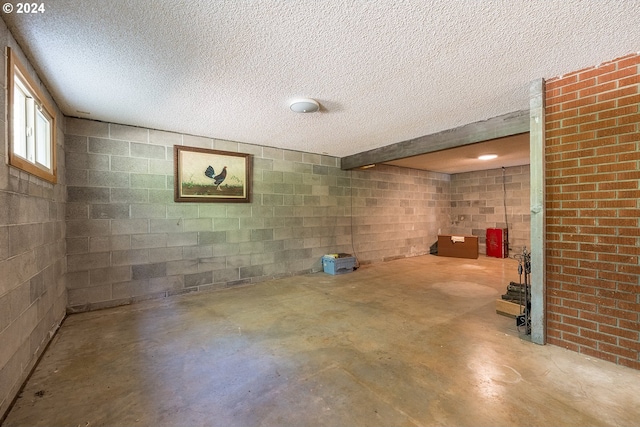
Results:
33 296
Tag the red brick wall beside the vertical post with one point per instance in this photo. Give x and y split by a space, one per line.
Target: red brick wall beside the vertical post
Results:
593 193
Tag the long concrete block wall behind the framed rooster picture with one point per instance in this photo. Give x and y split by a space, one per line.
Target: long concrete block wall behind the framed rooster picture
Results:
127 240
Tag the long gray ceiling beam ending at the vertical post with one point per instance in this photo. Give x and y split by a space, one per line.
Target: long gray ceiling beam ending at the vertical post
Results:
496 127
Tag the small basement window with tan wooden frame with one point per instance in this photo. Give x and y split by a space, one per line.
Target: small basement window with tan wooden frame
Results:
32 123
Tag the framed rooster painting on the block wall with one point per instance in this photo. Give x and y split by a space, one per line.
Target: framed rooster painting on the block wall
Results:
203 175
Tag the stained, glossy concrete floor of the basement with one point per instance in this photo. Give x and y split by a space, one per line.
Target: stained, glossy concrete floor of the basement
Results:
408 342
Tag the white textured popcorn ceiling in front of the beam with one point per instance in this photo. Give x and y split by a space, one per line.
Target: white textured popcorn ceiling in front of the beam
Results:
384 71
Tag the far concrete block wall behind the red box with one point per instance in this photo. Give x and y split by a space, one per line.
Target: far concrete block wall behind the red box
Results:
478 202
